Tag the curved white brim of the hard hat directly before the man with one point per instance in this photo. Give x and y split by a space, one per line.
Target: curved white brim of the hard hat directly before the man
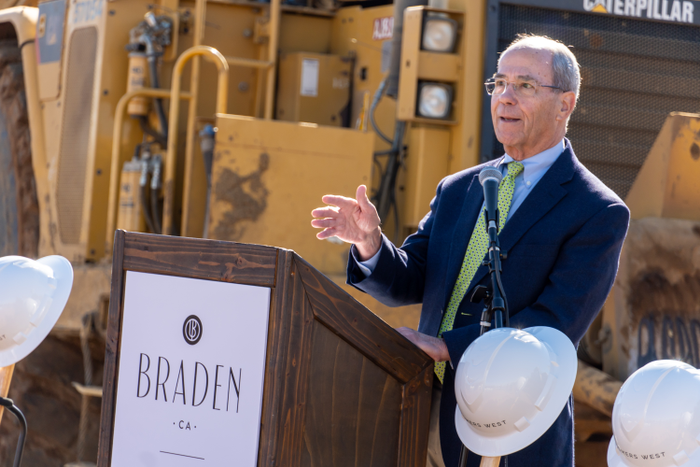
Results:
495 446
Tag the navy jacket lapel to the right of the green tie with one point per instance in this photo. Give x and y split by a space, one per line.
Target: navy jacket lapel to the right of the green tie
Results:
543 198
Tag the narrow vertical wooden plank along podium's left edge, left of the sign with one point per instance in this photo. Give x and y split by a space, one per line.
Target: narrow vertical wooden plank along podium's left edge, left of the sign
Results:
114 322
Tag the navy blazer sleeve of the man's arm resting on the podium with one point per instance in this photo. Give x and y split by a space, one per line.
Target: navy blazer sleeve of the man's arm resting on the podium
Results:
576 287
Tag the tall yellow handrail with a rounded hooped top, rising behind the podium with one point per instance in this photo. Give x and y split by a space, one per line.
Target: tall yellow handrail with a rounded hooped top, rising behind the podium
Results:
170 159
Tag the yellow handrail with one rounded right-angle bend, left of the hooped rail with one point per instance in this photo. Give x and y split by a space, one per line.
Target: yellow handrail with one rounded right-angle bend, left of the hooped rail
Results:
115 172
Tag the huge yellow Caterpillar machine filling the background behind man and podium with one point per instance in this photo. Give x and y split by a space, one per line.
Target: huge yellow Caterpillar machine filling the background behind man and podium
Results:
229 119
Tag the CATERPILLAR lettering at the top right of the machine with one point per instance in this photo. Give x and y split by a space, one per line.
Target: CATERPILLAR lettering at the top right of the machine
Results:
680 11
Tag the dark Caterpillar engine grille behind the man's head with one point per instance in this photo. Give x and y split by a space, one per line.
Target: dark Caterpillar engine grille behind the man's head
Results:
634 73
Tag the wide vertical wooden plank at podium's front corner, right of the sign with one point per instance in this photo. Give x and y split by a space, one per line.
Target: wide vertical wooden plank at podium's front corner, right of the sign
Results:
287 369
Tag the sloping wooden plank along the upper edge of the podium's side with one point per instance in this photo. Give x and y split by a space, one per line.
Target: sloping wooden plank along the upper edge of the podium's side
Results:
361 328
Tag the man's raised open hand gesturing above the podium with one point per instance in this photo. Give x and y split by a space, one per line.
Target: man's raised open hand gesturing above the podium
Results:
351 220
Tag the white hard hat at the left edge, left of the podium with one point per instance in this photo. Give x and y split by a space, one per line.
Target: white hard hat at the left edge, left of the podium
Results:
32 297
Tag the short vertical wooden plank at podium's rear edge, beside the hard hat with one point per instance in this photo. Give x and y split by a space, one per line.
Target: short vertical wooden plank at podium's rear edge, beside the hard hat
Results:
415 415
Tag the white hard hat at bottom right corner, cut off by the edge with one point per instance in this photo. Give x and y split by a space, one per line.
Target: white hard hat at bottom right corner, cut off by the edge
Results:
656 417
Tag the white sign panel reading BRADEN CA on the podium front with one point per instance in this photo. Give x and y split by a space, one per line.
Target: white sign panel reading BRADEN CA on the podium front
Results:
190 376
